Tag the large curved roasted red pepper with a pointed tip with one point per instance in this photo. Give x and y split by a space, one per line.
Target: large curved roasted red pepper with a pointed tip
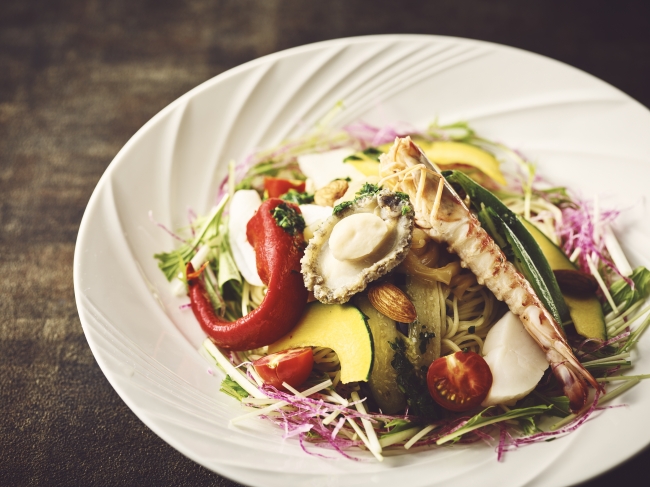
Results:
278 256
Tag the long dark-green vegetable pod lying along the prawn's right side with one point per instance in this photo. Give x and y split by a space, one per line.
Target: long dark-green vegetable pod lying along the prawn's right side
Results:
516 242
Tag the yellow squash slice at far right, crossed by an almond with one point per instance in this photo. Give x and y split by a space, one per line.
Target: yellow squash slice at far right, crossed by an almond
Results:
586 312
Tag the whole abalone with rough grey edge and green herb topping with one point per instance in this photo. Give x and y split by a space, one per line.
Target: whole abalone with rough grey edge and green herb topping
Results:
362 240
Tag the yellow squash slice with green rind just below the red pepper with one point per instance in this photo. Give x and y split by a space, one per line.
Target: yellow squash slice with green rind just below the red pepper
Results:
341 327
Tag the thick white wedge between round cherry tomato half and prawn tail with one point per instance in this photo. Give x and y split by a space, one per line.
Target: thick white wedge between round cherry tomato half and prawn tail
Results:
515 360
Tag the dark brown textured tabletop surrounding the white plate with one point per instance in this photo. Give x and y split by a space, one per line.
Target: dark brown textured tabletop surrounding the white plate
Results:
79 77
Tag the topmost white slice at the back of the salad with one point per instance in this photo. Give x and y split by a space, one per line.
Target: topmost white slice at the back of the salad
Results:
324 167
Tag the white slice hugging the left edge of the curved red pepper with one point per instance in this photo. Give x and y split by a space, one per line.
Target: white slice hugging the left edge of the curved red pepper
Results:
243 206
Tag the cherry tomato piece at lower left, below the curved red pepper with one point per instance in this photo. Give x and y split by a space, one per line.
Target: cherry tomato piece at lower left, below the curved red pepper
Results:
291 366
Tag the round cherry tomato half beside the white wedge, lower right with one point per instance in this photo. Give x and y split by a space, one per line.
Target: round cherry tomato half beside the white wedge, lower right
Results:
459 381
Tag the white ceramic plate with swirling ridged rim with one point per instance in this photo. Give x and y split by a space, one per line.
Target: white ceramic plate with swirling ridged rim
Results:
581 131
